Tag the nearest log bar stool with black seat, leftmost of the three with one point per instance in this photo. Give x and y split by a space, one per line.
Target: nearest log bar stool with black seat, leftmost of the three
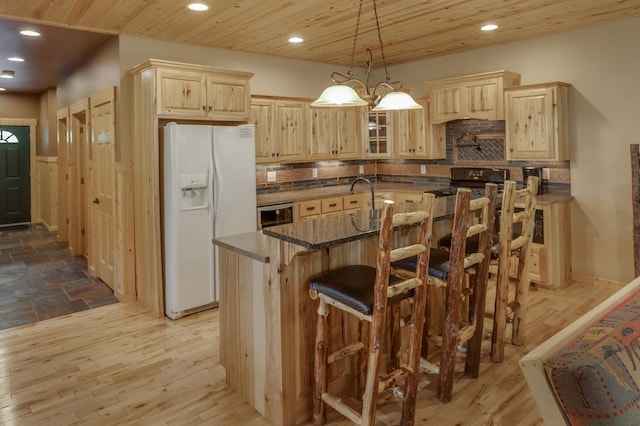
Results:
365 292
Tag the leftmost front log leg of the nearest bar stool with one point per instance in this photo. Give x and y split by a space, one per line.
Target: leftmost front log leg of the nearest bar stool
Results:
320 366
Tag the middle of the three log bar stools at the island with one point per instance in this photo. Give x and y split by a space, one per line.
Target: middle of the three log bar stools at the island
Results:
447 269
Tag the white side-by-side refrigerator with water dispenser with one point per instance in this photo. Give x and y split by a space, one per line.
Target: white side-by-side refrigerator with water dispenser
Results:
209 192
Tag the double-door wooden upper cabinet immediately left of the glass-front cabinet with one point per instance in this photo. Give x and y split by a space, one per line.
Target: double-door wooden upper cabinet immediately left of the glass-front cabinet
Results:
336 133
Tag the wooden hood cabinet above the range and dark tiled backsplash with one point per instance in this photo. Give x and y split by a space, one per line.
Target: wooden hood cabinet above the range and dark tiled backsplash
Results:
475 96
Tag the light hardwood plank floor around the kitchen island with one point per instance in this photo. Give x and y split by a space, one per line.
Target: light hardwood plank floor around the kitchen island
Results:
120 365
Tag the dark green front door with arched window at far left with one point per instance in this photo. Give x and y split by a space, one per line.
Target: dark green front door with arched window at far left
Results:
15 190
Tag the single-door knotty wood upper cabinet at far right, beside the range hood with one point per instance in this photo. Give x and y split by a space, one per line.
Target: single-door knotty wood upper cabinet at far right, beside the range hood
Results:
536 122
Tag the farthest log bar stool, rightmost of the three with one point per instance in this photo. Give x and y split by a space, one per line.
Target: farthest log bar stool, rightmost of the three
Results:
521 246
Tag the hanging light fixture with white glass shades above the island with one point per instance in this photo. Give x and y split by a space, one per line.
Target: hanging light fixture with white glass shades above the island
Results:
383 96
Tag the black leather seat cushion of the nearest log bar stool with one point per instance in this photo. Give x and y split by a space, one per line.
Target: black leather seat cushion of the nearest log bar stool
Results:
353 286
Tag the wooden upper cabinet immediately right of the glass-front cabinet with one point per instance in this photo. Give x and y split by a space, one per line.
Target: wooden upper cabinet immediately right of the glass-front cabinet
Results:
414 136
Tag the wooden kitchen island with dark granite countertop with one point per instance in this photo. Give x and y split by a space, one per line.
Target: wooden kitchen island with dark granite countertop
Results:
267 318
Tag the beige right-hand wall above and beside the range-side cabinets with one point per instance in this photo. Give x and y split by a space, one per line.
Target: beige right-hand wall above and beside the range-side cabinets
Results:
602 64
